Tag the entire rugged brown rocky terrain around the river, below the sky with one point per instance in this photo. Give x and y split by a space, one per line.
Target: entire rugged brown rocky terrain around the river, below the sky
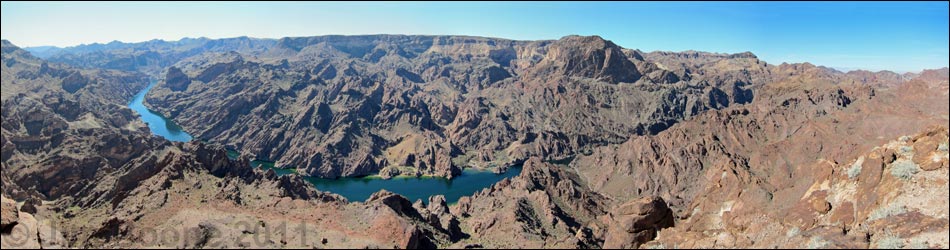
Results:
620 148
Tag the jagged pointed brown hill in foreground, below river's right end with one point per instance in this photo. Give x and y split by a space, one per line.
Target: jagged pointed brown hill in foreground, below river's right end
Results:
544 207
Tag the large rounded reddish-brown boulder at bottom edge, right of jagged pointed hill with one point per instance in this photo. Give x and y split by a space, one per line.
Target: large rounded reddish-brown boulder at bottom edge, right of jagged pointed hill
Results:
637 222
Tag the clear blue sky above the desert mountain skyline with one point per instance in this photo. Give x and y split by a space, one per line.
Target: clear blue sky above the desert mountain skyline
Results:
898 36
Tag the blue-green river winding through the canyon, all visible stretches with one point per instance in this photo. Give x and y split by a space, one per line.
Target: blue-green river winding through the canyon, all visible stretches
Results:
354 189
